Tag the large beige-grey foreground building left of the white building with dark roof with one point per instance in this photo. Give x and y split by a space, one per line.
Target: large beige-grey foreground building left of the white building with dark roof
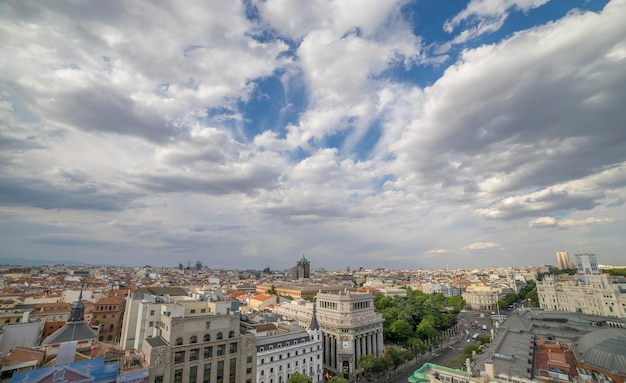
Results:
194 348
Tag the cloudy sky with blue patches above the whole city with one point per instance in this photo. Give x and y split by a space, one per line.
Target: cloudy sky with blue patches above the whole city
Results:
359 133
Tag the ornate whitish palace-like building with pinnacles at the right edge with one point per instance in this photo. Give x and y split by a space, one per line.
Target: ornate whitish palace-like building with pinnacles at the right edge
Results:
592 294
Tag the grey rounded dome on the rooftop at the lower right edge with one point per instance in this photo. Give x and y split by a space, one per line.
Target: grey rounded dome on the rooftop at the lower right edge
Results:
604 349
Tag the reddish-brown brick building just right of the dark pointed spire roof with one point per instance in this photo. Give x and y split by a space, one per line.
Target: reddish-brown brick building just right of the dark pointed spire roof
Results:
108 316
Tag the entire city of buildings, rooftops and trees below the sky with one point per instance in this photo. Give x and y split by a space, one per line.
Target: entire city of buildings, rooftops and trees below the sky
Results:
560 322
